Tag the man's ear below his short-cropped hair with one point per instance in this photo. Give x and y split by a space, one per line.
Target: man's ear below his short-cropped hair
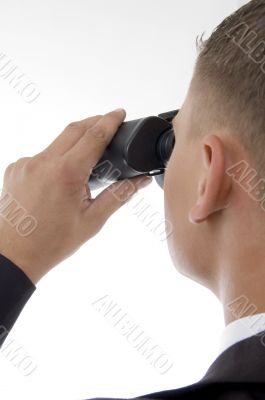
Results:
215 184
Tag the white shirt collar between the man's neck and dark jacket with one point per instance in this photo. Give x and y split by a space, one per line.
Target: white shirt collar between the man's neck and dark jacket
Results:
241 329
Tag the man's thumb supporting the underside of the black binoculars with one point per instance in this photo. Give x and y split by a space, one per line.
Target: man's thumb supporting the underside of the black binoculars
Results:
115 195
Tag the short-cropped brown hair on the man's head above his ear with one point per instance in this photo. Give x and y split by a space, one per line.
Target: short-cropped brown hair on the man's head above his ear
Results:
228 85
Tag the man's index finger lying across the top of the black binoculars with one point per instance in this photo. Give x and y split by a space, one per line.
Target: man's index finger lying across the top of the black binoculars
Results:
91 146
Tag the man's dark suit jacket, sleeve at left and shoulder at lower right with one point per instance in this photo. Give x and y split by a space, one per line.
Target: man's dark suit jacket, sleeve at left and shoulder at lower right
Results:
237 374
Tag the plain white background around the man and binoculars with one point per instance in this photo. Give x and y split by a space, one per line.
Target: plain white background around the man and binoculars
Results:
89 57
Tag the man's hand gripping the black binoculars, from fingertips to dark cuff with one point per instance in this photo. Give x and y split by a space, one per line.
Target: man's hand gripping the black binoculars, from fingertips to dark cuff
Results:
52 188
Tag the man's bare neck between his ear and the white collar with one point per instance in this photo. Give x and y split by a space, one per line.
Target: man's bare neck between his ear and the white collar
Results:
238 260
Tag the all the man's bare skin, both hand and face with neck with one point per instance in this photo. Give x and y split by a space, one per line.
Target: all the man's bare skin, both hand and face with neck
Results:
218 230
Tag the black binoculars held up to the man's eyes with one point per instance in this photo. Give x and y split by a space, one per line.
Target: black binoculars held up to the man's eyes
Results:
139 147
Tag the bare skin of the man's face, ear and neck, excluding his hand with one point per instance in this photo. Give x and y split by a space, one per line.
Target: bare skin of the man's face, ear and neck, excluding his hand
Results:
218 236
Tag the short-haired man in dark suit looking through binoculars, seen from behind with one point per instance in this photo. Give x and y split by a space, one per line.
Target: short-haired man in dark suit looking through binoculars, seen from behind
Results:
214 197
